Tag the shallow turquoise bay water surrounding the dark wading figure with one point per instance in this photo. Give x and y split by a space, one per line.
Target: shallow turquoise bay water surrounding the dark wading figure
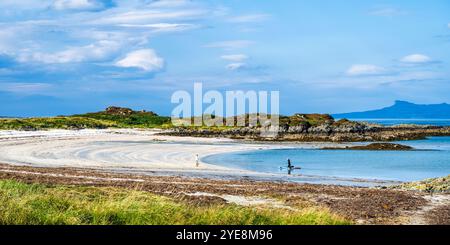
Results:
431 160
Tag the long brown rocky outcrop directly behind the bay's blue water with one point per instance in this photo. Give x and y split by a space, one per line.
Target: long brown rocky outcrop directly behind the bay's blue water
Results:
346 132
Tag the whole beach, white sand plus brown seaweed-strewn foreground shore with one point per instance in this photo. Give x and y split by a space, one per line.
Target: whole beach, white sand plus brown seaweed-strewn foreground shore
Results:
166 165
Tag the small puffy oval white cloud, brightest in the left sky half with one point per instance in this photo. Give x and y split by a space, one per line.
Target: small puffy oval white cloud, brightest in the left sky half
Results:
145 59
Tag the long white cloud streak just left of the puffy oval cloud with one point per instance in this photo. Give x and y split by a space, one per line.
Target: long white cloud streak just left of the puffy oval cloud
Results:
98 51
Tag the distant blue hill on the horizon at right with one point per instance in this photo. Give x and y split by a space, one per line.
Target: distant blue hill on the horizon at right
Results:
403 110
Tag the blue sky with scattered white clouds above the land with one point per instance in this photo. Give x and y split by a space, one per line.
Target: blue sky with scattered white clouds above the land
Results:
73 56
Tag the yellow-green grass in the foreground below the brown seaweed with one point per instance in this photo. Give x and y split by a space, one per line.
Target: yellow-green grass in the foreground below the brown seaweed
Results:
39 204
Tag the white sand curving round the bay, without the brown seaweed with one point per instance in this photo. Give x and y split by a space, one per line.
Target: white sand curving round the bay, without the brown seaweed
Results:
148 152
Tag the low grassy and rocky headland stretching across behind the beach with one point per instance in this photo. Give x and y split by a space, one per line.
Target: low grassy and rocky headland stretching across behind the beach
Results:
297 127
